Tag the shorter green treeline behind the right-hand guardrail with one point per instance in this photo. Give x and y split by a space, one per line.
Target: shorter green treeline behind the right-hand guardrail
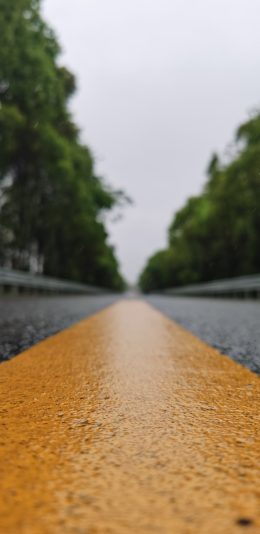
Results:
217 234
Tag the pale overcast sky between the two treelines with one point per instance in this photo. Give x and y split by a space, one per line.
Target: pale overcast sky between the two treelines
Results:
162 84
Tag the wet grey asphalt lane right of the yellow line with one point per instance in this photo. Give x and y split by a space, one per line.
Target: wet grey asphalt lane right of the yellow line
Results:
231 326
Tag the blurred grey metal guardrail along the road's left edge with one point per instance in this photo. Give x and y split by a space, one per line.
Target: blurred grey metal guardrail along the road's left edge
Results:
22 281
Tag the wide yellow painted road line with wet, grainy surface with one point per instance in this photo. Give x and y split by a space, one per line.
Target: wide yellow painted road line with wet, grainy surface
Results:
126 423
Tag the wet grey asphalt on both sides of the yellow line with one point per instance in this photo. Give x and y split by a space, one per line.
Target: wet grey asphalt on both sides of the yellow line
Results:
231 326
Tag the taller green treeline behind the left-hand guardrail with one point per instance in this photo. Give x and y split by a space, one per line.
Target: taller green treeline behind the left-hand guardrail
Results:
52 204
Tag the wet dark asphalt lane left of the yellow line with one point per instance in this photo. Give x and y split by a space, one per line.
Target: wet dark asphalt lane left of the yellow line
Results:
25 320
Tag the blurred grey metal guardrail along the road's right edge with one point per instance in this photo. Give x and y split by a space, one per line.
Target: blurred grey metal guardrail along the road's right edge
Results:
243 286
